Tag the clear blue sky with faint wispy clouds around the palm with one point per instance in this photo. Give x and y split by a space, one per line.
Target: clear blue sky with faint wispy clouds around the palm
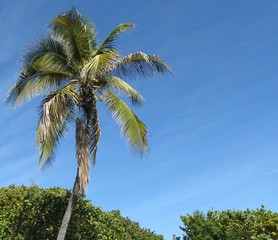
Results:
213 124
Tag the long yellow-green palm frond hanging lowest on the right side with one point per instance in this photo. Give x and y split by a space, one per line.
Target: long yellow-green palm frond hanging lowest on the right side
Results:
132 128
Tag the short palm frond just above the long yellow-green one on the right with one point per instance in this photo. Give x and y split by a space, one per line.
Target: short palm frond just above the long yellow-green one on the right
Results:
123 87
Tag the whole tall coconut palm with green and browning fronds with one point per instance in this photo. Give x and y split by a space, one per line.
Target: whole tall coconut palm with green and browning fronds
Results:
73 72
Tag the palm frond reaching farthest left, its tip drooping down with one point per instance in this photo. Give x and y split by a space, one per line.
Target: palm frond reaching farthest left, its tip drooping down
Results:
34 80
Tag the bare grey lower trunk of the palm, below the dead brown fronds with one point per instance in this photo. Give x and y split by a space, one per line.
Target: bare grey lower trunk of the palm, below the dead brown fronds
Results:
67 215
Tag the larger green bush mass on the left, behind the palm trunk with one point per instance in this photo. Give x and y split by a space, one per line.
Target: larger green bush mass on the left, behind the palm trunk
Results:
31 213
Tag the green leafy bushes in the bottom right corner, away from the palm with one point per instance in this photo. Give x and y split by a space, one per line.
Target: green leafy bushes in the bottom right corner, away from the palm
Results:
258 224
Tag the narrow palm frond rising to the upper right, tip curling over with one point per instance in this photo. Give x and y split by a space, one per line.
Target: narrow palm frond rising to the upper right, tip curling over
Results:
108 43
